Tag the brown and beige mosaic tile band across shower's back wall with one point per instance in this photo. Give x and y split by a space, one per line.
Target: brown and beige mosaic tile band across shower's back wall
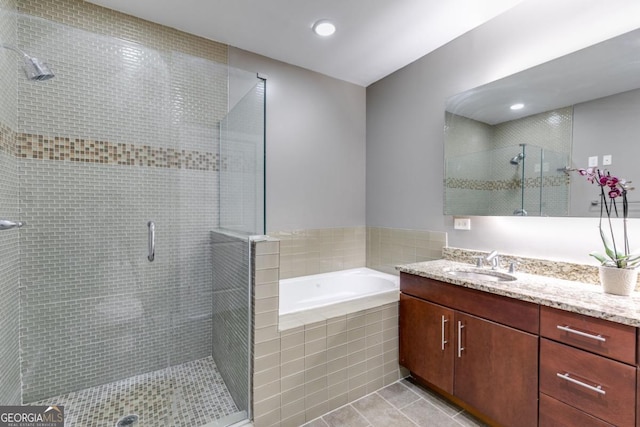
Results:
42 147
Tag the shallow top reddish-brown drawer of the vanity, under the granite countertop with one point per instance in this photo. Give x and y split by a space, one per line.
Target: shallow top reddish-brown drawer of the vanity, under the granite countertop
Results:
599 336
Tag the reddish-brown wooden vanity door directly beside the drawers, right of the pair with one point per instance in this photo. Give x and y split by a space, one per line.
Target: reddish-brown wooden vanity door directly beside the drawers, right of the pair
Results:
496 370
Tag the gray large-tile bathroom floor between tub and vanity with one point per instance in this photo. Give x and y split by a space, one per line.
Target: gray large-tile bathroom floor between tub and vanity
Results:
401 404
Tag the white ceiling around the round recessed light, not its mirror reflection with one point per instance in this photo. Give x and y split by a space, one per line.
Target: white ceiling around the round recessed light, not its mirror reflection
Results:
373 39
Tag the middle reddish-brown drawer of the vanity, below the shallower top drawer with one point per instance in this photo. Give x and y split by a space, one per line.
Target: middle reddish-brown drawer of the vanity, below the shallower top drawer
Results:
594 384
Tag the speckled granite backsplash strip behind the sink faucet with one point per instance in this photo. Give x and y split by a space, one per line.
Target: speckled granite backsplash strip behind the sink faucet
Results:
557 269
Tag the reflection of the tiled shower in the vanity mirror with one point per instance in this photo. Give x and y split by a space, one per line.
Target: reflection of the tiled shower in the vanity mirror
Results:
512 168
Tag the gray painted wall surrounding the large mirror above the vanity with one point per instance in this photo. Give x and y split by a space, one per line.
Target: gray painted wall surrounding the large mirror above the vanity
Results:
405 119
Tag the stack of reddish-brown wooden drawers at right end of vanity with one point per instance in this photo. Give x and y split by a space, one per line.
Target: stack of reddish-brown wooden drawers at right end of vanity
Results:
587 366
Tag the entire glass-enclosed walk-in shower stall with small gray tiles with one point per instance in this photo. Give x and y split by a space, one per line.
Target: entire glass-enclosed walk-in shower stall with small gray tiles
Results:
125 169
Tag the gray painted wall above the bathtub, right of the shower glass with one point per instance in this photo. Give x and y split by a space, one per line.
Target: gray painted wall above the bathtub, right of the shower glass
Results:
315 146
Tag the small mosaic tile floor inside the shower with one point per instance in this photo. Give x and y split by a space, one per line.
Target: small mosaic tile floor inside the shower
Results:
192 394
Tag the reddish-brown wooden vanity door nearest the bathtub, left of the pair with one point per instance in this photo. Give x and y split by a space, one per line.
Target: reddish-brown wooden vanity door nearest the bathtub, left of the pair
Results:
427 341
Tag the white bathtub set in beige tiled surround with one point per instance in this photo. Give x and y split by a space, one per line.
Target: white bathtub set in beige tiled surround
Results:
323 290
